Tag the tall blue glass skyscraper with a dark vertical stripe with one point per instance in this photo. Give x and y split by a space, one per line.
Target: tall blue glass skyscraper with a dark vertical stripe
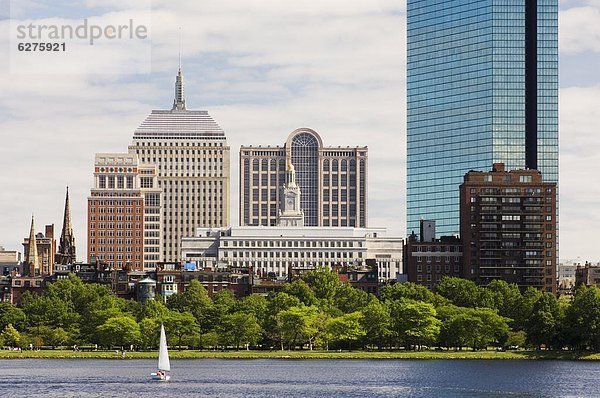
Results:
482 89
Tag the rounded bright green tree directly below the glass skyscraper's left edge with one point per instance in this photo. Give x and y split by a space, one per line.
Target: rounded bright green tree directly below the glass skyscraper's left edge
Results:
414 323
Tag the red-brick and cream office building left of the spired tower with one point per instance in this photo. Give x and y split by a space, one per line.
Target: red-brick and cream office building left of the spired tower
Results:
124 213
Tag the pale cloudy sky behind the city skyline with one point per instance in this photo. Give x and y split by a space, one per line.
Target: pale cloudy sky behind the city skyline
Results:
261 68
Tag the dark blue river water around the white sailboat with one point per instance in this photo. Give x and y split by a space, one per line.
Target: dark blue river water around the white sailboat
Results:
300 378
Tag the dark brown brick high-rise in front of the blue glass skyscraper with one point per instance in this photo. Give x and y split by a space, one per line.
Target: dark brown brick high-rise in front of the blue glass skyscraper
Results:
508 227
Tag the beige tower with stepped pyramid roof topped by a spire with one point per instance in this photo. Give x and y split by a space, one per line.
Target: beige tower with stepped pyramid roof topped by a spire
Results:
192 158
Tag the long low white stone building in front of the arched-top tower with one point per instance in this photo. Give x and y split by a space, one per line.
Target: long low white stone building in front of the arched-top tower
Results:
271 251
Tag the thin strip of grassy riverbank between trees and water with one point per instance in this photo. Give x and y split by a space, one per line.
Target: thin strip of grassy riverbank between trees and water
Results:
243 354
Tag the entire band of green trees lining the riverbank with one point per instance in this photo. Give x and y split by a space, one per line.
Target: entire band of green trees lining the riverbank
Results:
316 311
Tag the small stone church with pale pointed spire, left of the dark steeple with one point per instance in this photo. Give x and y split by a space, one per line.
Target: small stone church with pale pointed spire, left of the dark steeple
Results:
39 249
